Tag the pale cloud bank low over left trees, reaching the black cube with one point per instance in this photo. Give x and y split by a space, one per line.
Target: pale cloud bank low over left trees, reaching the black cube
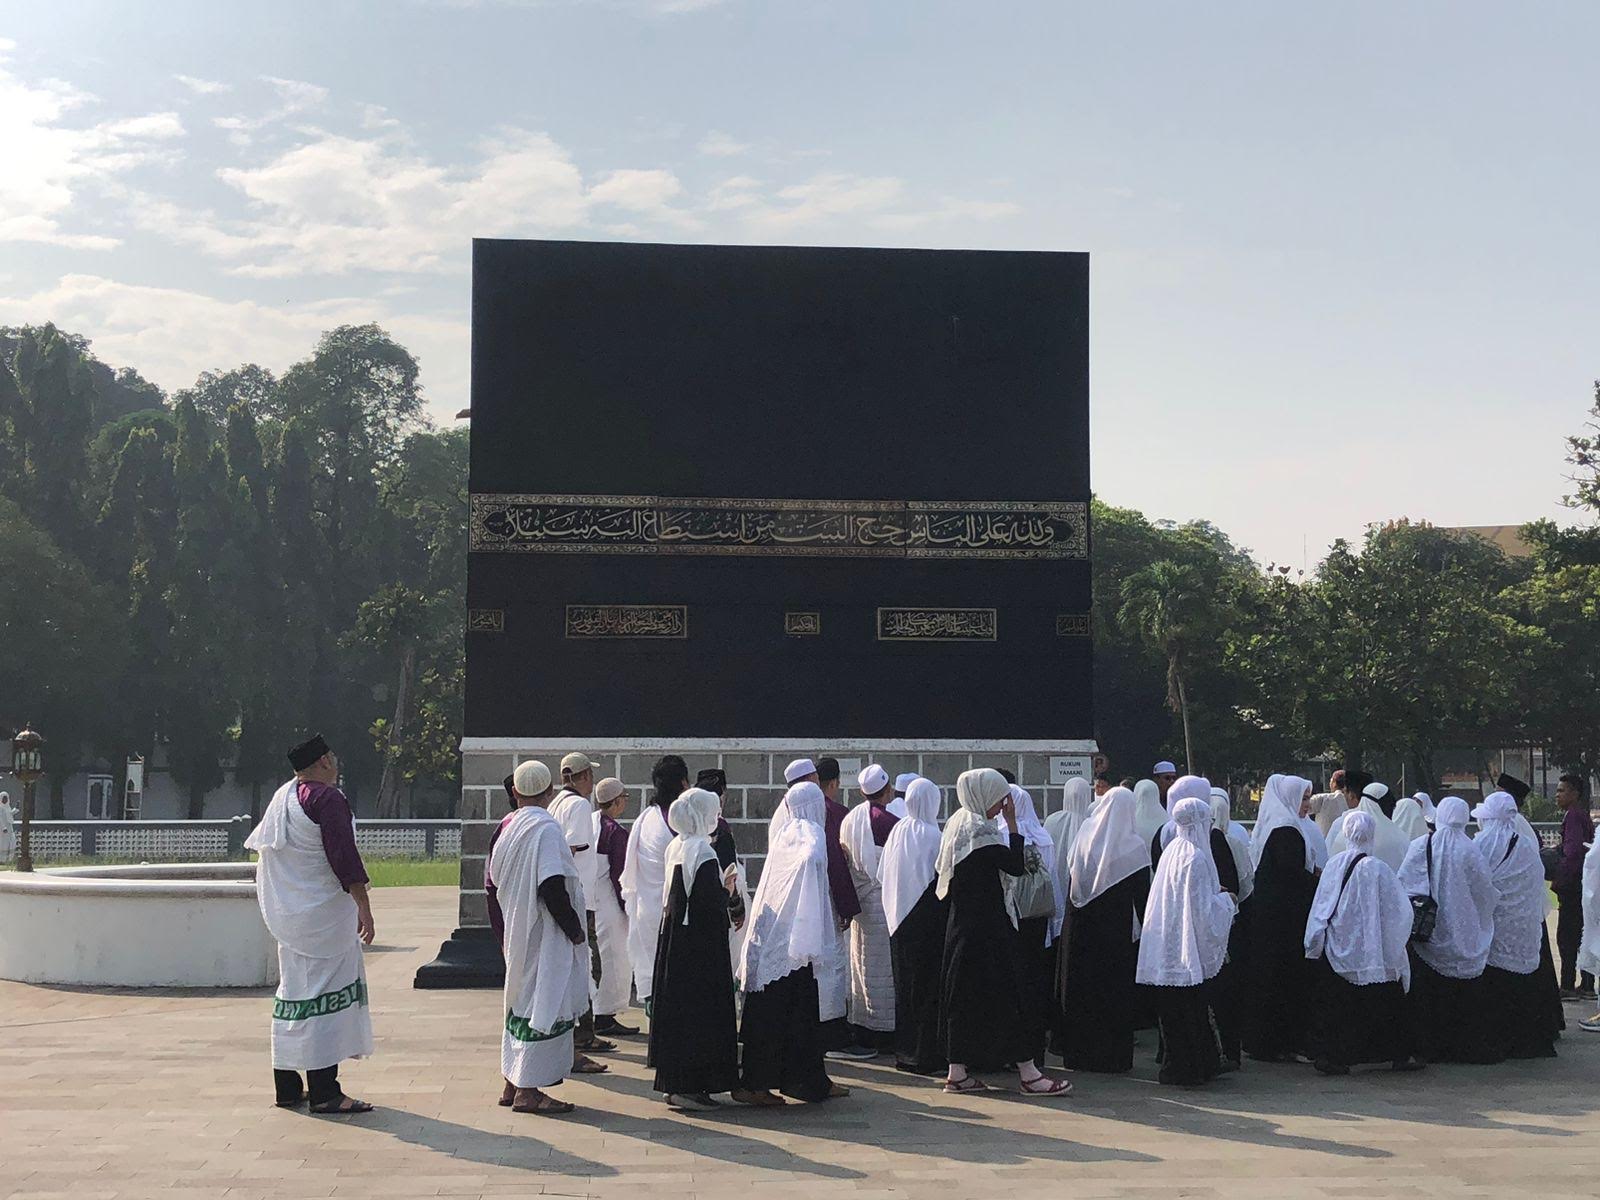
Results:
174 335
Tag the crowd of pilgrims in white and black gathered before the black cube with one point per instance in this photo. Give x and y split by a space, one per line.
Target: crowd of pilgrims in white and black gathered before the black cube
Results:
1343 929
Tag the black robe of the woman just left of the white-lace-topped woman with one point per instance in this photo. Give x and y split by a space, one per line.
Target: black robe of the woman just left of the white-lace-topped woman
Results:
1100 1007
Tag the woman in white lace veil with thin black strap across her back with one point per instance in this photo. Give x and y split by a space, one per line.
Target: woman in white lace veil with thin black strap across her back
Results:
1356 938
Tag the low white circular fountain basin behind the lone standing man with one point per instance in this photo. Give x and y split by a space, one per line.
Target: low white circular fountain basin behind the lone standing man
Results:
167 926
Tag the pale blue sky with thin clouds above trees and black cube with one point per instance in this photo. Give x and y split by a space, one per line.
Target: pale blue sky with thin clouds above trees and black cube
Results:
1345 258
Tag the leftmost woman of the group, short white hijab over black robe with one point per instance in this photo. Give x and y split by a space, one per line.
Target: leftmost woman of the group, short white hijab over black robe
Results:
694 1030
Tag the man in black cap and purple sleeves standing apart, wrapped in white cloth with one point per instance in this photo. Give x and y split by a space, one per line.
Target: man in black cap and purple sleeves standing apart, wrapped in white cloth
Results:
313 890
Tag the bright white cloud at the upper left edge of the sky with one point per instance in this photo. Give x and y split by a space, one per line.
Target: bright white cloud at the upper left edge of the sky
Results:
50 166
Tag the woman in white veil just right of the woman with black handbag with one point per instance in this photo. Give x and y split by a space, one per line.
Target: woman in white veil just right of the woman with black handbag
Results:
1513 982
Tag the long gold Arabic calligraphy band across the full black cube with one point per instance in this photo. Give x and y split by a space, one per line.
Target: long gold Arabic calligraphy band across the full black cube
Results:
780 527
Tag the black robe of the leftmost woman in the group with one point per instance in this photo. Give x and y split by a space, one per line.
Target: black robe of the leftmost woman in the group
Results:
694 1030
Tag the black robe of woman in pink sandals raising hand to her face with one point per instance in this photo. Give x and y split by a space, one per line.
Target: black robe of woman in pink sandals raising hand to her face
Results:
982 1001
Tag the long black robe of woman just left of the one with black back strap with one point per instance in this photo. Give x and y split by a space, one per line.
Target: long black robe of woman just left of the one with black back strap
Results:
1278 977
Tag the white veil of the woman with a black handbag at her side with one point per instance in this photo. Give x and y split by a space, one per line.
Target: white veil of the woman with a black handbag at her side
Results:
1465 890
